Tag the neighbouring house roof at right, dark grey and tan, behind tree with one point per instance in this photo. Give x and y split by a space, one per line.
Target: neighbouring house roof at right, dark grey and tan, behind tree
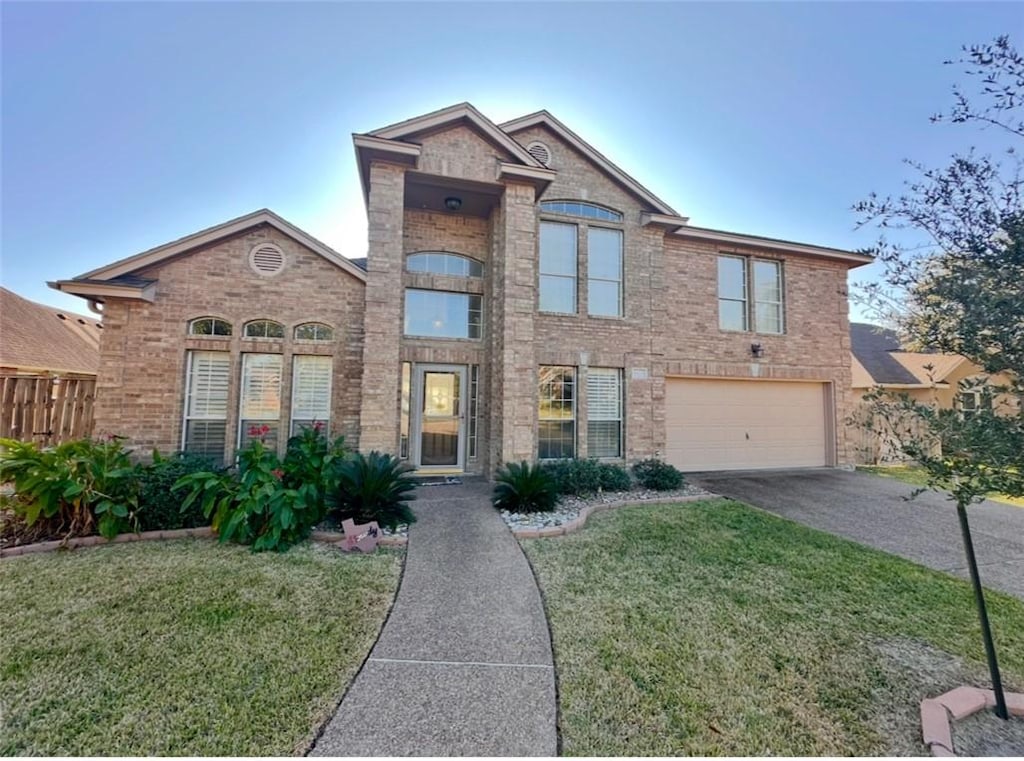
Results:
880 360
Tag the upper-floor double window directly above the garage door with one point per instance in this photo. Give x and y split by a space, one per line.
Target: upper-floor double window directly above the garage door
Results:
750 295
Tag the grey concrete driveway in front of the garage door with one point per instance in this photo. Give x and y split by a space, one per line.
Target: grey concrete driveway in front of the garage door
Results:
873 511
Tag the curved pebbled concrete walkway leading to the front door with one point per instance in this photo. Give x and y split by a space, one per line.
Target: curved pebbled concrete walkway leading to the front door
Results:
464 664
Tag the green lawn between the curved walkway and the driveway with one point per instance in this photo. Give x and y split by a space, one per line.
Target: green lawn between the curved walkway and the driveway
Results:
712 628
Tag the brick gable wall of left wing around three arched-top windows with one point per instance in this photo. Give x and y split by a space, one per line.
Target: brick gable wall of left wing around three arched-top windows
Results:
141 388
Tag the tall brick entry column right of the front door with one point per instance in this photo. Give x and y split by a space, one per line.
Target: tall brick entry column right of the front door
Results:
514 376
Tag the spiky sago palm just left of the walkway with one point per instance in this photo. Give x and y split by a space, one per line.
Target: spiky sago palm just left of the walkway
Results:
373 487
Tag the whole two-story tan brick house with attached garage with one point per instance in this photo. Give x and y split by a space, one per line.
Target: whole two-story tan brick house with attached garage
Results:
523 299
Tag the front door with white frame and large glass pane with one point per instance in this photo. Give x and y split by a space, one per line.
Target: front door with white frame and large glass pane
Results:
440 430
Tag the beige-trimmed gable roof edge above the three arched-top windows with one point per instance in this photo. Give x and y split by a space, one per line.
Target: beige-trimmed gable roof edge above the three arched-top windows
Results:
119 279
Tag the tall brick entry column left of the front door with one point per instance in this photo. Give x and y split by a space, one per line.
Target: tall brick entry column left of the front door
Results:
383 321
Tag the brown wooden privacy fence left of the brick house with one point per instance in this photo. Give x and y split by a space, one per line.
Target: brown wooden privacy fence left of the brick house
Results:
47 410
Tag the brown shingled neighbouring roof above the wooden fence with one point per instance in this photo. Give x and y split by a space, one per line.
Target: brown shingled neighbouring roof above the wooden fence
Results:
35 337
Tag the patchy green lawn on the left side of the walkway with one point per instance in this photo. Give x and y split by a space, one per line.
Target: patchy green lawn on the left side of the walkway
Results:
183 648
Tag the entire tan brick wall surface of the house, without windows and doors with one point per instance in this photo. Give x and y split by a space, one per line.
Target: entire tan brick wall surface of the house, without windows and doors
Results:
670 325
